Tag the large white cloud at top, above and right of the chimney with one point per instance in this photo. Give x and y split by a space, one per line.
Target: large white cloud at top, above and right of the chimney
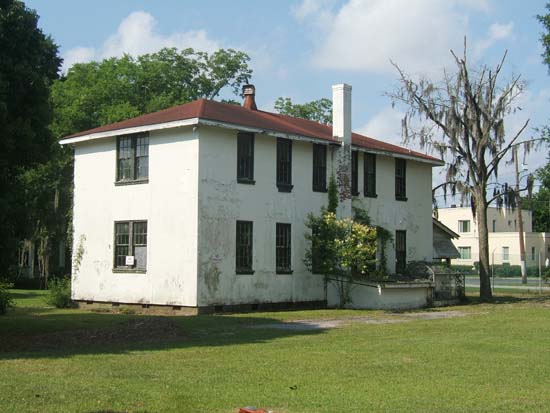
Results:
364 35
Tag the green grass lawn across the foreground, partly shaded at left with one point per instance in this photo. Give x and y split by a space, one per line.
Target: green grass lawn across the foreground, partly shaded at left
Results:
487 357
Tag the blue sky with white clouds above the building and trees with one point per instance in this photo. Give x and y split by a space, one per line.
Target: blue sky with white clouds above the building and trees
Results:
300 48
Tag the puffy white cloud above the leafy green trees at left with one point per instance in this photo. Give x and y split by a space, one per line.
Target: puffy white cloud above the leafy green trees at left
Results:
137 35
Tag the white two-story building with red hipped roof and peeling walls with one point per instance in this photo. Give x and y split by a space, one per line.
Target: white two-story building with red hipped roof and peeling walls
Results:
204 204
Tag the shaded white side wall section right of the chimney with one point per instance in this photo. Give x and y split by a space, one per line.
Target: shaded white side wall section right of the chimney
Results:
413 215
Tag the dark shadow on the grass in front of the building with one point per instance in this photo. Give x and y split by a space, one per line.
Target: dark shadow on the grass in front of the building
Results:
43 333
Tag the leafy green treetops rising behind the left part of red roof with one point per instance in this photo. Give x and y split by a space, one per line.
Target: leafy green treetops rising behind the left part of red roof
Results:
98 93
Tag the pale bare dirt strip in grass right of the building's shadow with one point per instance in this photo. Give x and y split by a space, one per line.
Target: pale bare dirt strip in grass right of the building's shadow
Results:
390 318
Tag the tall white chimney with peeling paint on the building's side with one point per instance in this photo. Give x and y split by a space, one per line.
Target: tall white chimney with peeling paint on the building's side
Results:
341 130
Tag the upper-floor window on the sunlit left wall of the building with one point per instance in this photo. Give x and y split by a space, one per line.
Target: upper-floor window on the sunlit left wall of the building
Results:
132 158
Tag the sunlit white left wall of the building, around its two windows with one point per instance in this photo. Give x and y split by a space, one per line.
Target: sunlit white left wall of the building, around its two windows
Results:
169 204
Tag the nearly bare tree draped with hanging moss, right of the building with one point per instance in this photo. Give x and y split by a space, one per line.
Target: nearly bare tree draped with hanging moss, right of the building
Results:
465 116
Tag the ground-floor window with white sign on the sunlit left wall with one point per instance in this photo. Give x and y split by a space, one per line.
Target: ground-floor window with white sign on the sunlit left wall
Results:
131 245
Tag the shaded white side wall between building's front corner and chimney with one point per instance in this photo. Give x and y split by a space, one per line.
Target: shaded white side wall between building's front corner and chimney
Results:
223 201
